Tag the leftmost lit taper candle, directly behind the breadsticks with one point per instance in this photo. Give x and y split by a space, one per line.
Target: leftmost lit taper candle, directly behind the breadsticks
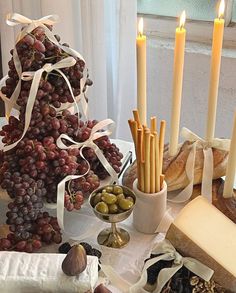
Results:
141 73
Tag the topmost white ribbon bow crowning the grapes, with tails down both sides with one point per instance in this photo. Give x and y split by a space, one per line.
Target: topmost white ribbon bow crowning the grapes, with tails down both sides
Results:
14 19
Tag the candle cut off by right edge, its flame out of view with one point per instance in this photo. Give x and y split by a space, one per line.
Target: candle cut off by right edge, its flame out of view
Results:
231 165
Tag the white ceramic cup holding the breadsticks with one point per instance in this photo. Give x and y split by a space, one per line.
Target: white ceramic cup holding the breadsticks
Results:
149 210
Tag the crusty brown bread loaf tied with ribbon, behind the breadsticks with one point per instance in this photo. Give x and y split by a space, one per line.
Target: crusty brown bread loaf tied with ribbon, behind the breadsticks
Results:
174 167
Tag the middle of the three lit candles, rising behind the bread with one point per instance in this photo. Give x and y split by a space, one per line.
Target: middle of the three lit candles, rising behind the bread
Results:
177 84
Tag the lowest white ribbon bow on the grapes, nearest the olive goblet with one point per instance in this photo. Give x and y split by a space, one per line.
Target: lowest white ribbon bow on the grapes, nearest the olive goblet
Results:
96 133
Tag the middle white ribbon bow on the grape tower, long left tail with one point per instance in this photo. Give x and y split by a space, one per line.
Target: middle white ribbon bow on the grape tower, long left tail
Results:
36 76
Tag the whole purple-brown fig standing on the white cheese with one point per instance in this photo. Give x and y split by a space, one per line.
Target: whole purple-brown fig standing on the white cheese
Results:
75 261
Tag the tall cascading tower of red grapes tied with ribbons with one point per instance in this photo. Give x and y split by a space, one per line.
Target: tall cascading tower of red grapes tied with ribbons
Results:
30 172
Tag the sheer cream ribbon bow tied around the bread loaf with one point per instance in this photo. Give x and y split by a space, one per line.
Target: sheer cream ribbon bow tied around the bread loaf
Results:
208 165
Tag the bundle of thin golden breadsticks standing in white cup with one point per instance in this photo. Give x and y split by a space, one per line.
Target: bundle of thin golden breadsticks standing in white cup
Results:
149 148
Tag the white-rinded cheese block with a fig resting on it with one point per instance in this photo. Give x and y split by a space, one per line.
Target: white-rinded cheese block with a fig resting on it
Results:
41 272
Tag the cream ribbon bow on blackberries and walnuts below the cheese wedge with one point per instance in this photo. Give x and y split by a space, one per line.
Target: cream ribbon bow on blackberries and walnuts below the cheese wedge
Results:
165 251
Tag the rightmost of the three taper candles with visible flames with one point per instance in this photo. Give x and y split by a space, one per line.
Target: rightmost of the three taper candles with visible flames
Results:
217 41
